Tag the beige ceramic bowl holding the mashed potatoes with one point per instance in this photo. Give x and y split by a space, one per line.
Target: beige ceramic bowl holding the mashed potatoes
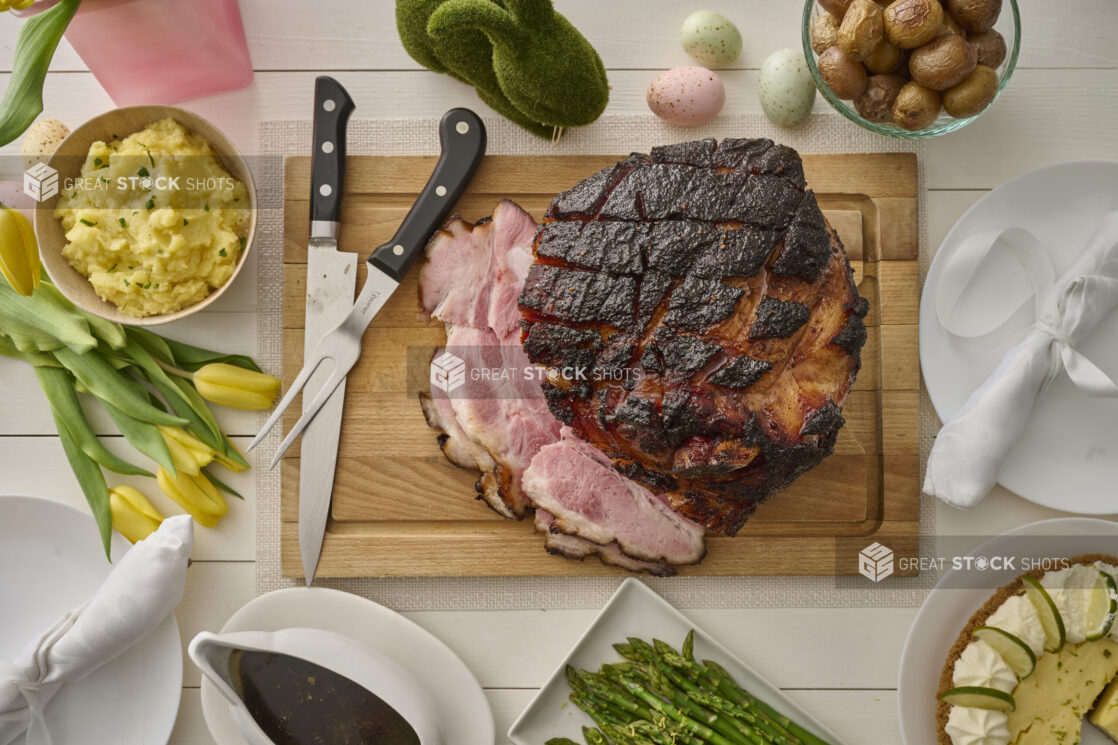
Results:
69 159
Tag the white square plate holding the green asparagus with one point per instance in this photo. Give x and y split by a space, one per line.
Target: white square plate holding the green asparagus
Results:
637 611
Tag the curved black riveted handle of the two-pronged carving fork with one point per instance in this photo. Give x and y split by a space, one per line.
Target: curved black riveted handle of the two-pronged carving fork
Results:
462 137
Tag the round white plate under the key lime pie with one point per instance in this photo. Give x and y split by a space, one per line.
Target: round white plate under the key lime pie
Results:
949 609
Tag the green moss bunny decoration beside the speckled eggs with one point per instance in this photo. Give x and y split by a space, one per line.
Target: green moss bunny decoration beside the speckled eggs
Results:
526 60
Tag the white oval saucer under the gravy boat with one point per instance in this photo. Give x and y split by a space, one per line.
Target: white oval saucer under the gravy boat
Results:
457 696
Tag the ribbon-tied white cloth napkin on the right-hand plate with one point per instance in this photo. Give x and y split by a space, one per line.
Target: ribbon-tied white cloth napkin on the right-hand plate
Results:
969 451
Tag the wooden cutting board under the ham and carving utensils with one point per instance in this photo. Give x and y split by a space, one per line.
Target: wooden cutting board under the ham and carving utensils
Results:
401 510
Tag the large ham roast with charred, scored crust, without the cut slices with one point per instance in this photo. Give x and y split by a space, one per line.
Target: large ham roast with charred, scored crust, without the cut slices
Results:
700 324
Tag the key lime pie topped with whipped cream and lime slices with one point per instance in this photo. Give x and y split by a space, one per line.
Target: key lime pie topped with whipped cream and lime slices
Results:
1036 659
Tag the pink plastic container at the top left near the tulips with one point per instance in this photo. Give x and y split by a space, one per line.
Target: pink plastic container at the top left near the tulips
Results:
162 52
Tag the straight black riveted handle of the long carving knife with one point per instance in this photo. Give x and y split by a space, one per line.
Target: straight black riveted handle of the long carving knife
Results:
333 109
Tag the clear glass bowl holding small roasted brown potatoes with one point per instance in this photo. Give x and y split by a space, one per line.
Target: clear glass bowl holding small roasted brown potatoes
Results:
1009 26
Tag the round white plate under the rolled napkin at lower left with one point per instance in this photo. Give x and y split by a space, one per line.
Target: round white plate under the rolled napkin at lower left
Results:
52 561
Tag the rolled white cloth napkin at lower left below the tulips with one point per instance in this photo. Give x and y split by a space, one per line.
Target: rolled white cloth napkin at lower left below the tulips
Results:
140 592
